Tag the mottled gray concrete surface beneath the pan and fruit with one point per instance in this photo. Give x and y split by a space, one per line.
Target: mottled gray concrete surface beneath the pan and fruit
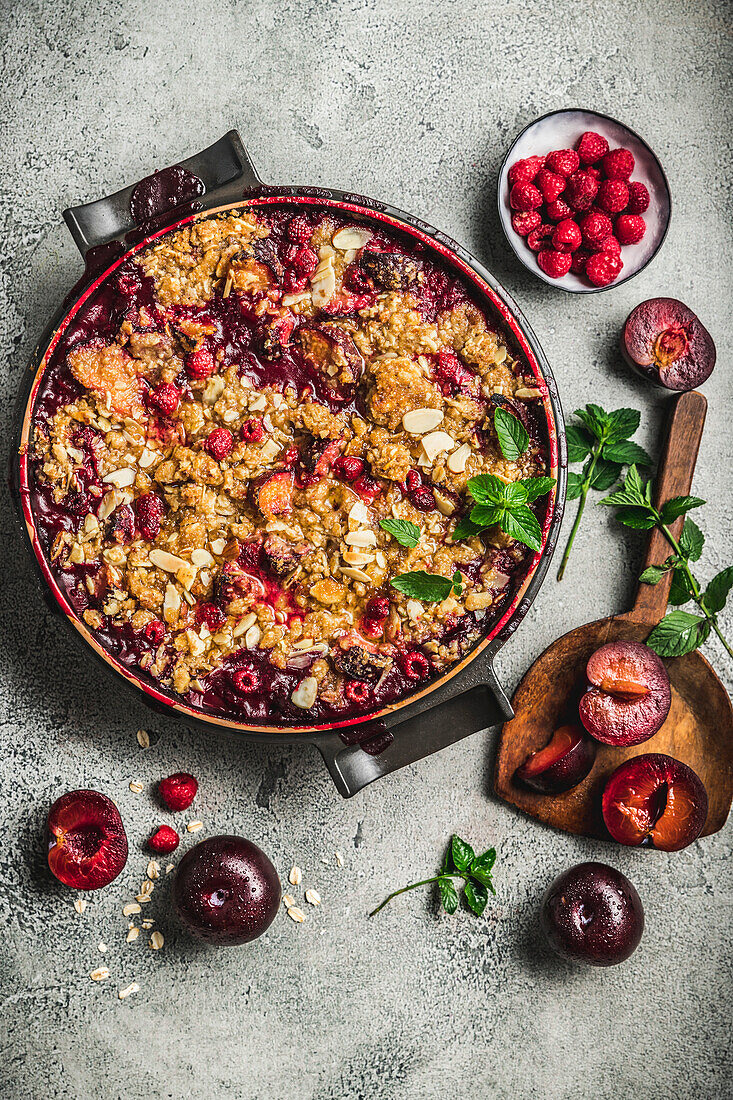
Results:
413 103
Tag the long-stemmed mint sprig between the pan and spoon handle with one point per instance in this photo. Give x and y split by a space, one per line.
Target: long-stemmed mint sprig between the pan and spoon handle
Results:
601 442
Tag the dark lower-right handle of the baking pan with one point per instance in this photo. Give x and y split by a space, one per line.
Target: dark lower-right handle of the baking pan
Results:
353 767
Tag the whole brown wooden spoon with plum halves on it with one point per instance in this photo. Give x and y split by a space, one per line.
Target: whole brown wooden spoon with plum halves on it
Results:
699 729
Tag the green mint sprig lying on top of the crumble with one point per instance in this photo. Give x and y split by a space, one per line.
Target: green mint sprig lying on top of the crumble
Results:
506 505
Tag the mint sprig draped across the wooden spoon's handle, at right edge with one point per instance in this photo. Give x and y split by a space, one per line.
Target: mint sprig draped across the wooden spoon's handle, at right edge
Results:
680 632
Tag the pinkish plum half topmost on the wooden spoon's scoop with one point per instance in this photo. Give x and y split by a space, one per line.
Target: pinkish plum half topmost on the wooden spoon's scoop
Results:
629 695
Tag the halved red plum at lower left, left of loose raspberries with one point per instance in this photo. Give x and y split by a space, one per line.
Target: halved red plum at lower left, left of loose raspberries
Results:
87 843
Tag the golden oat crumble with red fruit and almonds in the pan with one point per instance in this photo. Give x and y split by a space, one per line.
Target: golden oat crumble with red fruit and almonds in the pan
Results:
220 435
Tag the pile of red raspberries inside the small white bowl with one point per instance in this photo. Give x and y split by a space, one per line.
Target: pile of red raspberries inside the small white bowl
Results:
578 207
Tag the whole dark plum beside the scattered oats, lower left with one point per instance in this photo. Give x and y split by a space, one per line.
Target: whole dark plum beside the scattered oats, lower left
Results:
226 892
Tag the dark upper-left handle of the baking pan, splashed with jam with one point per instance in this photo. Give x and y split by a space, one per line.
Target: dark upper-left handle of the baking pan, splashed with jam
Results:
225 169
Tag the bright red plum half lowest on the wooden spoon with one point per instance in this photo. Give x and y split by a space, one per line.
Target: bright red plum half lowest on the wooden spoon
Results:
657 801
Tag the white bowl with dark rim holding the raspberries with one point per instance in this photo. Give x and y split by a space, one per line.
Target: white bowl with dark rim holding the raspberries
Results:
562 130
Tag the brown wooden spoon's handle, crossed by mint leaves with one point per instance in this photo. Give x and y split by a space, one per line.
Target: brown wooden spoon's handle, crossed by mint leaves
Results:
674 479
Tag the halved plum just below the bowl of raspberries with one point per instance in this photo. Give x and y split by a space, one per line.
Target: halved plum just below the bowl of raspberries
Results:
665 342
